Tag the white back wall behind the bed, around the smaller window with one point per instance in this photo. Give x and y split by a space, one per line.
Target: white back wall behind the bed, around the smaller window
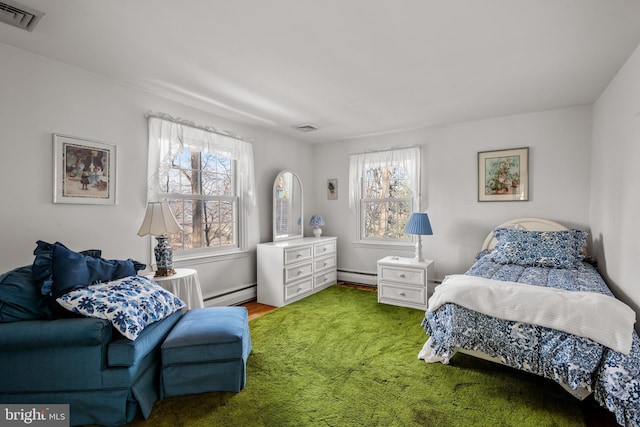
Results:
559 161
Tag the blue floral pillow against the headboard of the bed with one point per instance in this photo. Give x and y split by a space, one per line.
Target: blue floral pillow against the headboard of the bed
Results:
556 249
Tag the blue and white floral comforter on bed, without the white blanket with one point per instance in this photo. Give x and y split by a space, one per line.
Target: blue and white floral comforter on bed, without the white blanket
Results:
567 359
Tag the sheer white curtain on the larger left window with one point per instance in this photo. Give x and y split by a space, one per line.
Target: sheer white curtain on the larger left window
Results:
168 136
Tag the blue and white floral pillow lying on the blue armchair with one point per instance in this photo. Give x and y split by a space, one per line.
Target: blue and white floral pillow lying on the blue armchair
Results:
130 304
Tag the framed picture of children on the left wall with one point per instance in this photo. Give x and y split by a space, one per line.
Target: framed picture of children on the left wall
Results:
84 171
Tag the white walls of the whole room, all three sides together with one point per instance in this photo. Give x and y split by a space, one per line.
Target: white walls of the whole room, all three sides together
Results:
42 97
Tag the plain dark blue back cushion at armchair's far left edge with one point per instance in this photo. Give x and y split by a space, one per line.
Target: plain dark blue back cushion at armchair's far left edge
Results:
19 296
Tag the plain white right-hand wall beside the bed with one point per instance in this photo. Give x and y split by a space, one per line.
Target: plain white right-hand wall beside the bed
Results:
615 197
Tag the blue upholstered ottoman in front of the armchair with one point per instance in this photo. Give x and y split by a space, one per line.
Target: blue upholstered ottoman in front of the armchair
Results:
206 351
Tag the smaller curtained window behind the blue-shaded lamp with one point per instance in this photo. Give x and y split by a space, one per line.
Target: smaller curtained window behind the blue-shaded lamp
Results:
384 192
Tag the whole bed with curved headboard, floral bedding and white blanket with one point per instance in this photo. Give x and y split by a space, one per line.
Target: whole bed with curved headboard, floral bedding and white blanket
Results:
534 301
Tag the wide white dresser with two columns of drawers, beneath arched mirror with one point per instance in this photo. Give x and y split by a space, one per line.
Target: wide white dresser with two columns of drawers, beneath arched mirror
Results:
293 269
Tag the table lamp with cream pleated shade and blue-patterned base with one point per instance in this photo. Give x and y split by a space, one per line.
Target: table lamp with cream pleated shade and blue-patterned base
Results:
159 222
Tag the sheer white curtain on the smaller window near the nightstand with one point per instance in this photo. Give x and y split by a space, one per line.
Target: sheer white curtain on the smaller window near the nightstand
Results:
407 158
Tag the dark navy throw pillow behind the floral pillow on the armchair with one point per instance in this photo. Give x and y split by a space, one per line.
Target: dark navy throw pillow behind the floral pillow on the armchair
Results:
59 270
